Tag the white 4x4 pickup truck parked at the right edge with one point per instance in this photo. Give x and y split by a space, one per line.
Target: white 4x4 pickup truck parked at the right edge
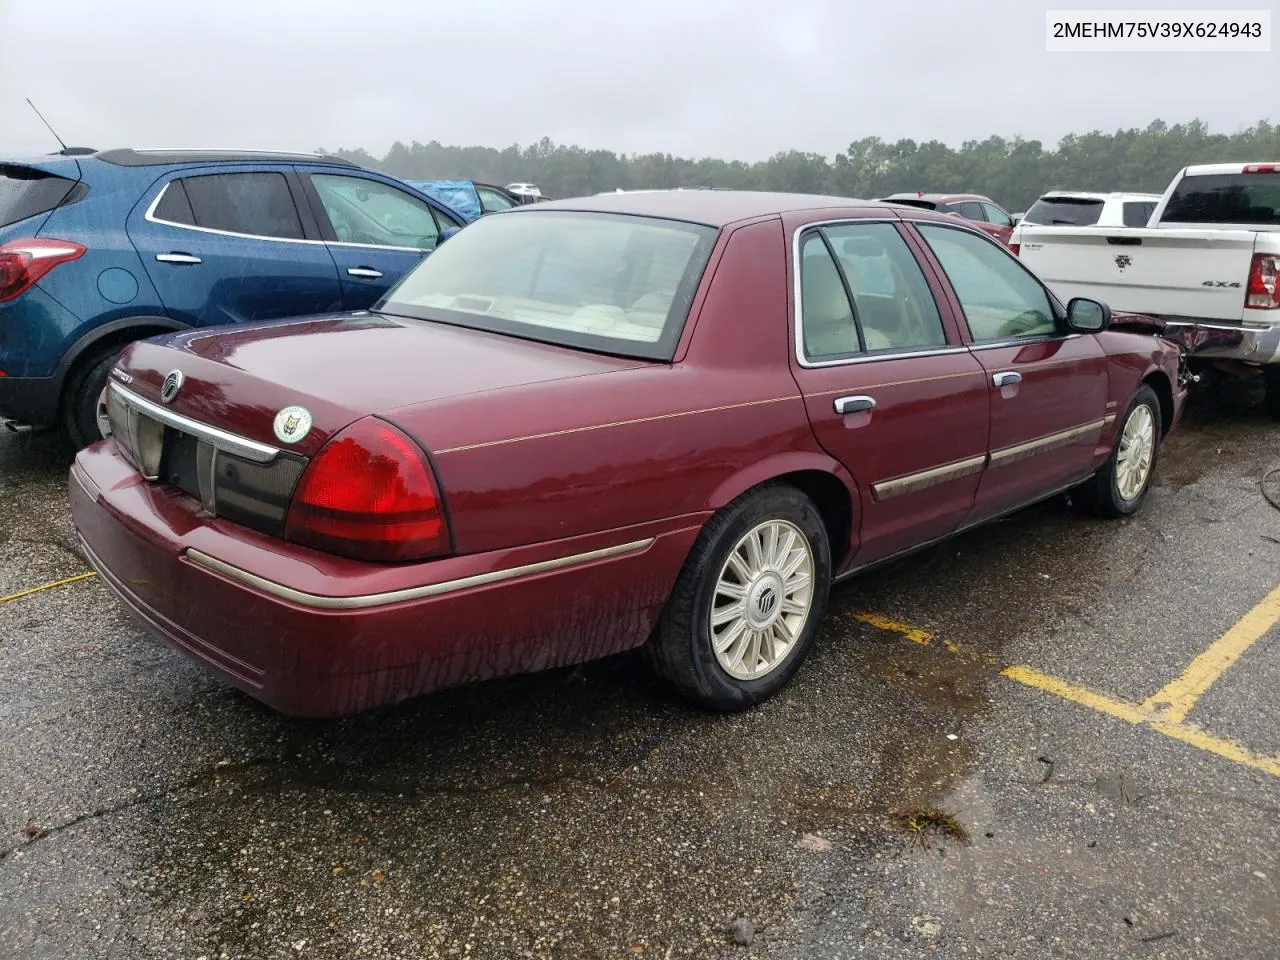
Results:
1206 267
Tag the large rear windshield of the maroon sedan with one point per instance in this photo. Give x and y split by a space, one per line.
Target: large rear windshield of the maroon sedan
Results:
602 282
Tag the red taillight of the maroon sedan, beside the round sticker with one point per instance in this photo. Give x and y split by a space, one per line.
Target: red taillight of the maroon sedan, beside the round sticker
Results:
369 495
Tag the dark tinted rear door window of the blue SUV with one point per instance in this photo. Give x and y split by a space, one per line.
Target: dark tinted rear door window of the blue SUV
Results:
250 204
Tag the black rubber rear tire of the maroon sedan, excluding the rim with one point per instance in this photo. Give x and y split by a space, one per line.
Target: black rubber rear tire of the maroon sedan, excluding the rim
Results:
682 648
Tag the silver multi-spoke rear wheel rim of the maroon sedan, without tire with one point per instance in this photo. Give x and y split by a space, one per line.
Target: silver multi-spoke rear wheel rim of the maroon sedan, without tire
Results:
762 602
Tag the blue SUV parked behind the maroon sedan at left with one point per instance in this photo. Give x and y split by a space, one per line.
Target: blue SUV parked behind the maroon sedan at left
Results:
99 249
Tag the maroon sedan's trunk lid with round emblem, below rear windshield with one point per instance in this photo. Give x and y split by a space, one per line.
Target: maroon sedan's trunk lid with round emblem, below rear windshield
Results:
339 369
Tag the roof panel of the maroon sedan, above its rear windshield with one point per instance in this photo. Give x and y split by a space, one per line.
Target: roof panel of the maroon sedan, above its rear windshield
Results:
714 208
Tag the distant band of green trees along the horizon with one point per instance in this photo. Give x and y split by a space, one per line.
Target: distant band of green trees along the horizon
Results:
1012 172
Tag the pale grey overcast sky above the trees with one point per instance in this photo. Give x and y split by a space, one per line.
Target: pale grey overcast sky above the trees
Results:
732 79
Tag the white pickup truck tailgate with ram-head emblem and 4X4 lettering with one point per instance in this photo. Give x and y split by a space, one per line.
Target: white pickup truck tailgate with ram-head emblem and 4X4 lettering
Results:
1162 272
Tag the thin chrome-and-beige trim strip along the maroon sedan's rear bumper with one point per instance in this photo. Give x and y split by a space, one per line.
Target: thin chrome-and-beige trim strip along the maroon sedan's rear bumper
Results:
413 593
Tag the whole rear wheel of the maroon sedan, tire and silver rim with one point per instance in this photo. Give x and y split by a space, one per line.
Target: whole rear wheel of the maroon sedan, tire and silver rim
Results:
747 605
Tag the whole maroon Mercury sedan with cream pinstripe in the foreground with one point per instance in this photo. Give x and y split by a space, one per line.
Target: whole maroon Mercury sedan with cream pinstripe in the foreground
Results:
583 427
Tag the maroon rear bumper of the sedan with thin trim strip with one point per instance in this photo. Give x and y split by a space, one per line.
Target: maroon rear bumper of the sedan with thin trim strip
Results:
321 637
